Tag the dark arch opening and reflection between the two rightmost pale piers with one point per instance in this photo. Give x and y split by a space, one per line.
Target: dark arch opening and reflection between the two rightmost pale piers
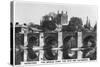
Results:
68 43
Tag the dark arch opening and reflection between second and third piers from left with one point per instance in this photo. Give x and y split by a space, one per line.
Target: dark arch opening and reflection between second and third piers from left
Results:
50 42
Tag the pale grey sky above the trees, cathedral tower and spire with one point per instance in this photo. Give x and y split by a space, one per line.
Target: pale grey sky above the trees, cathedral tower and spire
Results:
27 11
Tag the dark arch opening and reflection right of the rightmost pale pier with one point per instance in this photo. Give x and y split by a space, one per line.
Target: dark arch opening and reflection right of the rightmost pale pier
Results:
88 48
